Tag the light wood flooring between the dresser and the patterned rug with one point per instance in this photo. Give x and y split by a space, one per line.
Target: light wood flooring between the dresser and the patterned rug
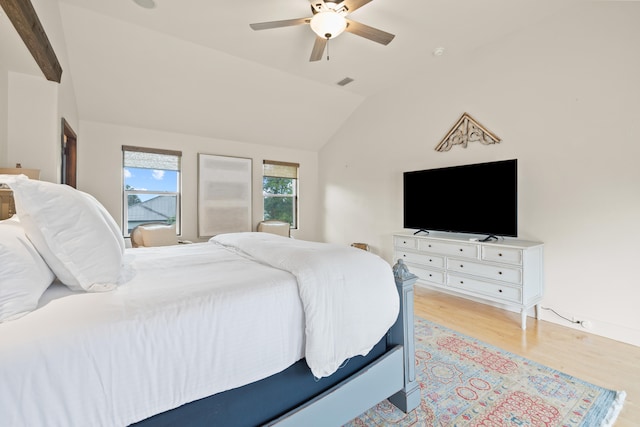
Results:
605 362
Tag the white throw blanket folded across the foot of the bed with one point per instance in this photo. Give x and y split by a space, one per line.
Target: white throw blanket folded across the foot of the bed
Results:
348 295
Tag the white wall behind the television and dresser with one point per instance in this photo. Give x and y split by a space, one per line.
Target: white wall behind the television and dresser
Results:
563 96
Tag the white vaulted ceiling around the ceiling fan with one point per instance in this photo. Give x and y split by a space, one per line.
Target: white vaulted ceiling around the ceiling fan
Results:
196 67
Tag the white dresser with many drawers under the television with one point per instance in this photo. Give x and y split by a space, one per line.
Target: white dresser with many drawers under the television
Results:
508 272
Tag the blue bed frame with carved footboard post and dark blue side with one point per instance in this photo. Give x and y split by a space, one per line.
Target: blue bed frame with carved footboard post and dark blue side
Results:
294 398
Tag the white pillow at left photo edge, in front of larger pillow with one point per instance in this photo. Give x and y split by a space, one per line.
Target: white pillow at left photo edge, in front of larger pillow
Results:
24 276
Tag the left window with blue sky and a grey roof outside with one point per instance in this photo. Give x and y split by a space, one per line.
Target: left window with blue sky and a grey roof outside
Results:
151 187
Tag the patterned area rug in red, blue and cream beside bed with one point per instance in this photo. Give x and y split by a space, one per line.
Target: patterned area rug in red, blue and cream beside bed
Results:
465 382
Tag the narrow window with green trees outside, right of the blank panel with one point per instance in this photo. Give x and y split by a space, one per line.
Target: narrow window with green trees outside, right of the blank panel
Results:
280 191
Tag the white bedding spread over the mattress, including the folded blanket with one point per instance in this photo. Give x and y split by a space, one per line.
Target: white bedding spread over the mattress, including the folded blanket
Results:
186 322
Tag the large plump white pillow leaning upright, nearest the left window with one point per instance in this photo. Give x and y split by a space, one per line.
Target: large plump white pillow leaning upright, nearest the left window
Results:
73 232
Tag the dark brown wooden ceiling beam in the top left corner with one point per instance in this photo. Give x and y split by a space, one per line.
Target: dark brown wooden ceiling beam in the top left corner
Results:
25 20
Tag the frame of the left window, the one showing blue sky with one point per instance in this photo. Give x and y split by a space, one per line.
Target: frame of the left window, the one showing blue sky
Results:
126 193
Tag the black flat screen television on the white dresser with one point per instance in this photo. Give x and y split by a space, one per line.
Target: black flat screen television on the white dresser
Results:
479 198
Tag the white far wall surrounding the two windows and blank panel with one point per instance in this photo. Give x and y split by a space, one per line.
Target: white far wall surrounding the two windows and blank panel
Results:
100 170
